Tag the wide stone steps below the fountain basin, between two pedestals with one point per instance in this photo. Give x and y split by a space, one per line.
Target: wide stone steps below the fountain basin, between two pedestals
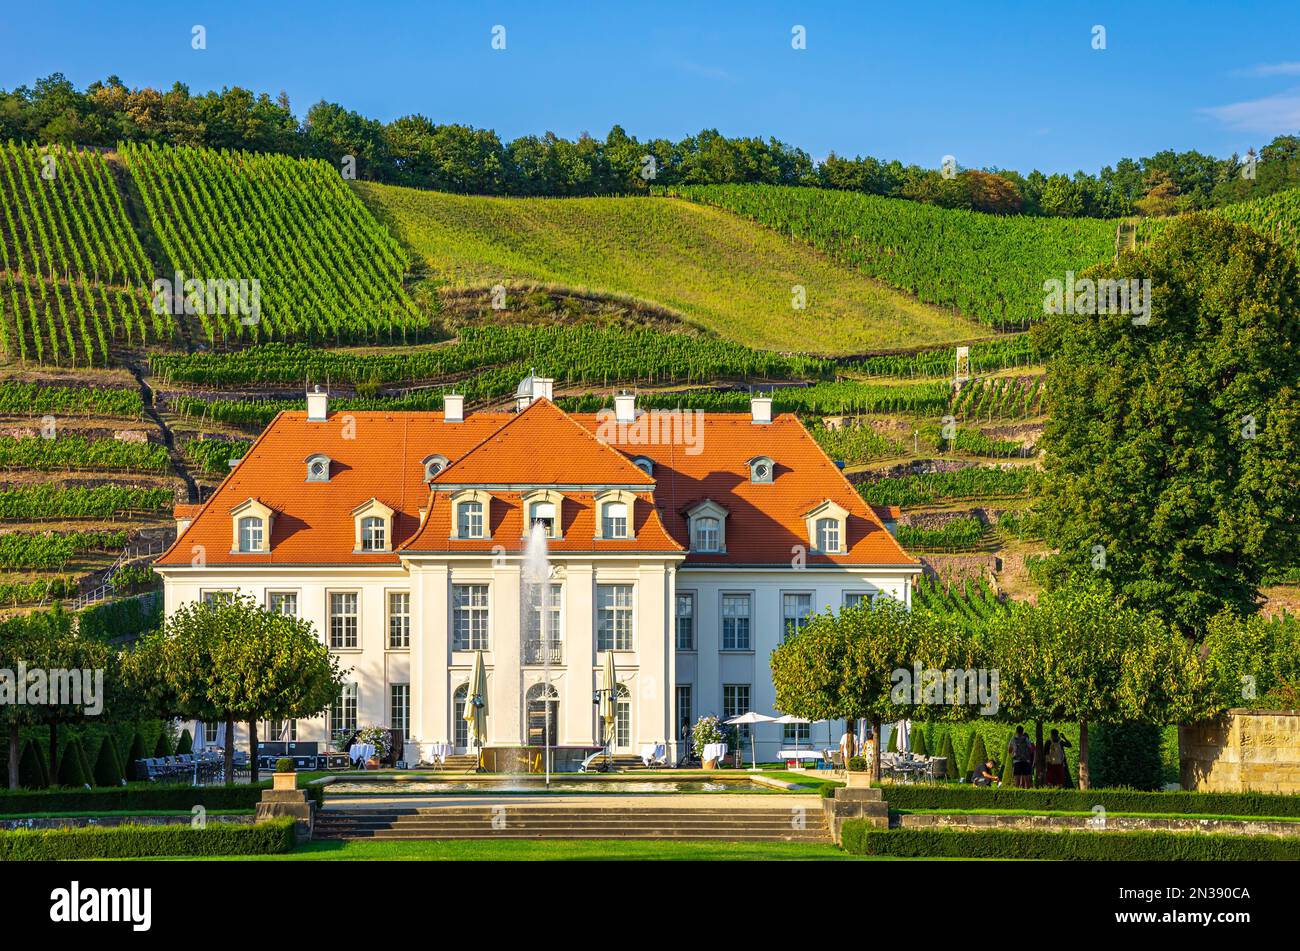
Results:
569 822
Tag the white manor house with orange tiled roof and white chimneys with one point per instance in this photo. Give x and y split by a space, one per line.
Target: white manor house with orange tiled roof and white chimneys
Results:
688 544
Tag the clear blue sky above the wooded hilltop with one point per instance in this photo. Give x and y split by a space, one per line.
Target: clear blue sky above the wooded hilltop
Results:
1009 85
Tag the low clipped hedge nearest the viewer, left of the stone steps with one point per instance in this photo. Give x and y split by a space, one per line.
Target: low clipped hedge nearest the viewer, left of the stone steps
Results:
135 841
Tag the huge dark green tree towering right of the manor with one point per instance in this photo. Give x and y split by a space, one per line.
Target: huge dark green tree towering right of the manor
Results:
1173 450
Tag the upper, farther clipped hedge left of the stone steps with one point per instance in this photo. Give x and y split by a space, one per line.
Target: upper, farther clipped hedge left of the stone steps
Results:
140 798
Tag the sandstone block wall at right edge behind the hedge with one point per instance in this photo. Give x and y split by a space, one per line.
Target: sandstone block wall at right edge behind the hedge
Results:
1242 752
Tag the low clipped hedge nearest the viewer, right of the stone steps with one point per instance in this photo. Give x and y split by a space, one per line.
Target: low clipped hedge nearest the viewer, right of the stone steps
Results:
863 839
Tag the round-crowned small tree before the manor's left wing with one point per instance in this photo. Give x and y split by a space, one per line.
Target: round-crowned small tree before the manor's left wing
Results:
235 661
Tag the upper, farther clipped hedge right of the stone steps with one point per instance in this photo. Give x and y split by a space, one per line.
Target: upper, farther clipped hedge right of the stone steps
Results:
964 797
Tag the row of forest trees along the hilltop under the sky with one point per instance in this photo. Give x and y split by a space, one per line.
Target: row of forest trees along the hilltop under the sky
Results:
419 153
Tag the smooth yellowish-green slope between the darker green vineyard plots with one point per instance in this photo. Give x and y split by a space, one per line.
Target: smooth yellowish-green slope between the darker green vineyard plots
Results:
717 270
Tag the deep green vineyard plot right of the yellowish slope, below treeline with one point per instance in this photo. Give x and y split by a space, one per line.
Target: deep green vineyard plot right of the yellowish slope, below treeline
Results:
987 267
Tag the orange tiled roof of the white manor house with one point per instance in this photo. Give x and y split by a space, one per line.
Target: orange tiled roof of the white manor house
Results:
379 455
